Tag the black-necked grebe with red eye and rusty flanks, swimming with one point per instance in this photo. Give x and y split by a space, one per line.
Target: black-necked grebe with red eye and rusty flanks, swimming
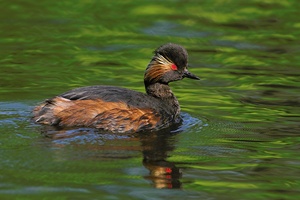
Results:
122 110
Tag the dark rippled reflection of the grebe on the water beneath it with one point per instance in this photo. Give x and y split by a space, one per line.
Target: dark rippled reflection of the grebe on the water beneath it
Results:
155 146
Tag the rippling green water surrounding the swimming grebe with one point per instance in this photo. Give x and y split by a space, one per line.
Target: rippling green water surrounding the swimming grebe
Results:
240 133
